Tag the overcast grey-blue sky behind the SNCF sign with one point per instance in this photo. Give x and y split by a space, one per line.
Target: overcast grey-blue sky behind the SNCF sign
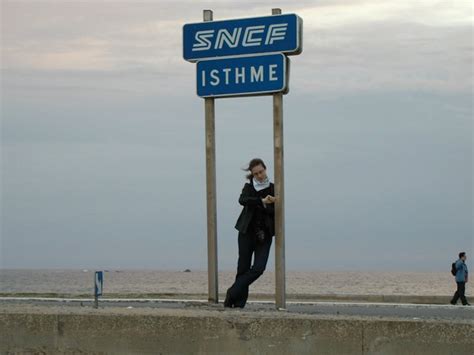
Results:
103 159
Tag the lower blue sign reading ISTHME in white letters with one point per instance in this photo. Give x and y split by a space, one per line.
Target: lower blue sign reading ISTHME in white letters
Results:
240 76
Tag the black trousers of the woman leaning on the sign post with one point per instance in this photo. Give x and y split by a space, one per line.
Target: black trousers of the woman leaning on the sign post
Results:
246 273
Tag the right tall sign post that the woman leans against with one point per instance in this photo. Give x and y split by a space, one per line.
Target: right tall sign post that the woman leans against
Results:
280 287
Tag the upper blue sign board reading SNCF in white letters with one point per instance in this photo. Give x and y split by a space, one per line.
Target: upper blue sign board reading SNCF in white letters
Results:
276 33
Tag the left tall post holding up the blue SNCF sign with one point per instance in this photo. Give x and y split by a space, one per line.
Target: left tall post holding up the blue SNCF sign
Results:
211 191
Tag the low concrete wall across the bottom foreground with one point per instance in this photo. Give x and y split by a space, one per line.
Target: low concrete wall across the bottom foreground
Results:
40 329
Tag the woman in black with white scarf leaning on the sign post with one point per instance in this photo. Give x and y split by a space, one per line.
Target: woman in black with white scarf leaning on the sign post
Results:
256 226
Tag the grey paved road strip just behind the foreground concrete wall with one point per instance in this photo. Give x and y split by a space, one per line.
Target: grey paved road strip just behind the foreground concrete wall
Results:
382 310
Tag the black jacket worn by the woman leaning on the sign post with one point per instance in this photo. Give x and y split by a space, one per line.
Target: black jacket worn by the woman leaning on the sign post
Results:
250 199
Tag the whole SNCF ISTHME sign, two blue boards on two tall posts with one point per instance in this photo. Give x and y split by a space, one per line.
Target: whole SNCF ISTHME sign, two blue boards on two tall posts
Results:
244 57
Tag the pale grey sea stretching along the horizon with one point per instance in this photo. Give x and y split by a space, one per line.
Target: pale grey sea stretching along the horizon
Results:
148 282
